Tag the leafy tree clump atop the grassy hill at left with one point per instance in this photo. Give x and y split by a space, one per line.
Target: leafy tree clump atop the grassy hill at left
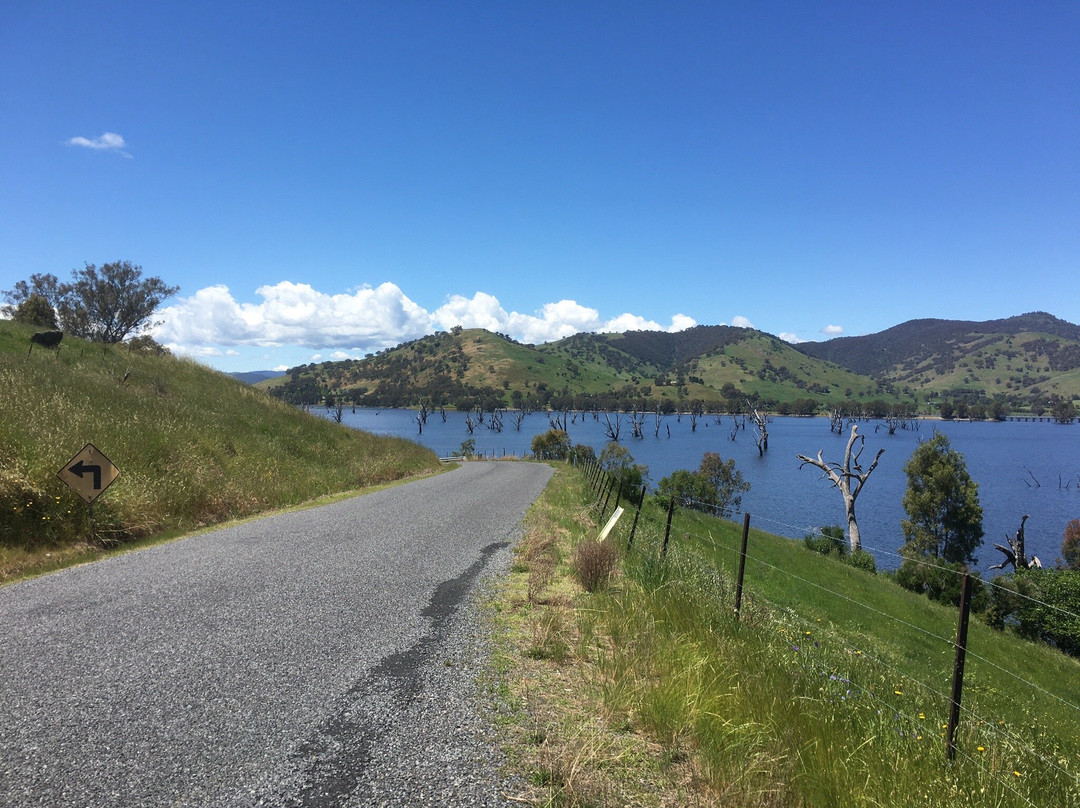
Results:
105 305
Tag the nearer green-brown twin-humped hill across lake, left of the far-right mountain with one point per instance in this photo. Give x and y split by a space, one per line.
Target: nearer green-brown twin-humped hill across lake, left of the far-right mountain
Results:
707 367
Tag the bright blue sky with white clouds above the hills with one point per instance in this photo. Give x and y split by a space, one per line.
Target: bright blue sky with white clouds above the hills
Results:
327 180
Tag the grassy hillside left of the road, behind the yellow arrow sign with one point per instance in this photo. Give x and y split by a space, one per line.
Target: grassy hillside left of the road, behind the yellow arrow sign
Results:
194 448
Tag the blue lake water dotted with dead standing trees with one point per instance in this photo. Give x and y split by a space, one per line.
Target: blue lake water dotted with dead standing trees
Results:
1021 468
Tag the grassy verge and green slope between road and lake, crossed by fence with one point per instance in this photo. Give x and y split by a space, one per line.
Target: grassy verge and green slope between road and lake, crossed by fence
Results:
832 692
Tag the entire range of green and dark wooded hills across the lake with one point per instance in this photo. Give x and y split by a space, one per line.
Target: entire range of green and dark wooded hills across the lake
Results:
1024 362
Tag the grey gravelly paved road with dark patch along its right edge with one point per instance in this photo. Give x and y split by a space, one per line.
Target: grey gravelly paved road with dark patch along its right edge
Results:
317 658
